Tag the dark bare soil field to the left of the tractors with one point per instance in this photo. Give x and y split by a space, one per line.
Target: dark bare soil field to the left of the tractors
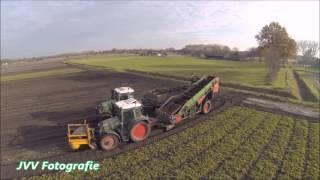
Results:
34 113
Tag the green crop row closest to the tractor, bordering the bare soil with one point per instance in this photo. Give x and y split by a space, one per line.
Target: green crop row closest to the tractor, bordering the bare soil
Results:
113 167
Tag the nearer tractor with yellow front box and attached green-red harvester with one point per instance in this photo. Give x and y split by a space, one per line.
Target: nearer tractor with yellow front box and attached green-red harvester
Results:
129 122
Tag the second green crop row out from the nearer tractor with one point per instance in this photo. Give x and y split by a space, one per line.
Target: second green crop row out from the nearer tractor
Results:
175 156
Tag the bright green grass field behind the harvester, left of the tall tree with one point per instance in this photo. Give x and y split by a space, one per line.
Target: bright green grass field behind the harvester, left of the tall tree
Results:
251 73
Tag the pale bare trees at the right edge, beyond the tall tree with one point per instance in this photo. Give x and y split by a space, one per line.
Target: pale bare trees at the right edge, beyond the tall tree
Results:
308 48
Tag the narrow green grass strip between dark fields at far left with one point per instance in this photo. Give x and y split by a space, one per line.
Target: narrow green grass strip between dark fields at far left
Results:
30 75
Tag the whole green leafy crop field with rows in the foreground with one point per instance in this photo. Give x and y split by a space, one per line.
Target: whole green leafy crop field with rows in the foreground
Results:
238 143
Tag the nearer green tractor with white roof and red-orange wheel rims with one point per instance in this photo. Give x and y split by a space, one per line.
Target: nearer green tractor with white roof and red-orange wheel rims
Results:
128 123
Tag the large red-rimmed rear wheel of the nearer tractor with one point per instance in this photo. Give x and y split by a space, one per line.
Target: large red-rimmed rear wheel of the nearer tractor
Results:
140 131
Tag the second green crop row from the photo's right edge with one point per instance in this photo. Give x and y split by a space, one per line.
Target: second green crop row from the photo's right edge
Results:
293 163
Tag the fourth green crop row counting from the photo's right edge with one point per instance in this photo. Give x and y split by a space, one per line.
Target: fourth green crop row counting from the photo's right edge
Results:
242 159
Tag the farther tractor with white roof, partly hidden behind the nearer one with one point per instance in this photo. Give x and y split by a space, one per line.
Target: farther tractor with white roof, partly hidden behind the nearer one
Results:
105 108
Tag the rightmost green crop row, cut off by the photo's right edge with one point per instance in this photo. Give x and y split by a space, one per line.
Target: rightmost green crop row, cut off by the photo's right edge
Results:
313 153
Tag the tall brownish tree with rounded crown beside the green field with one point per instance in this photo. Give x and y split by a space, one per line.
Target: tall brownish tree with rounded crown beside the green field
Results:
275 46
